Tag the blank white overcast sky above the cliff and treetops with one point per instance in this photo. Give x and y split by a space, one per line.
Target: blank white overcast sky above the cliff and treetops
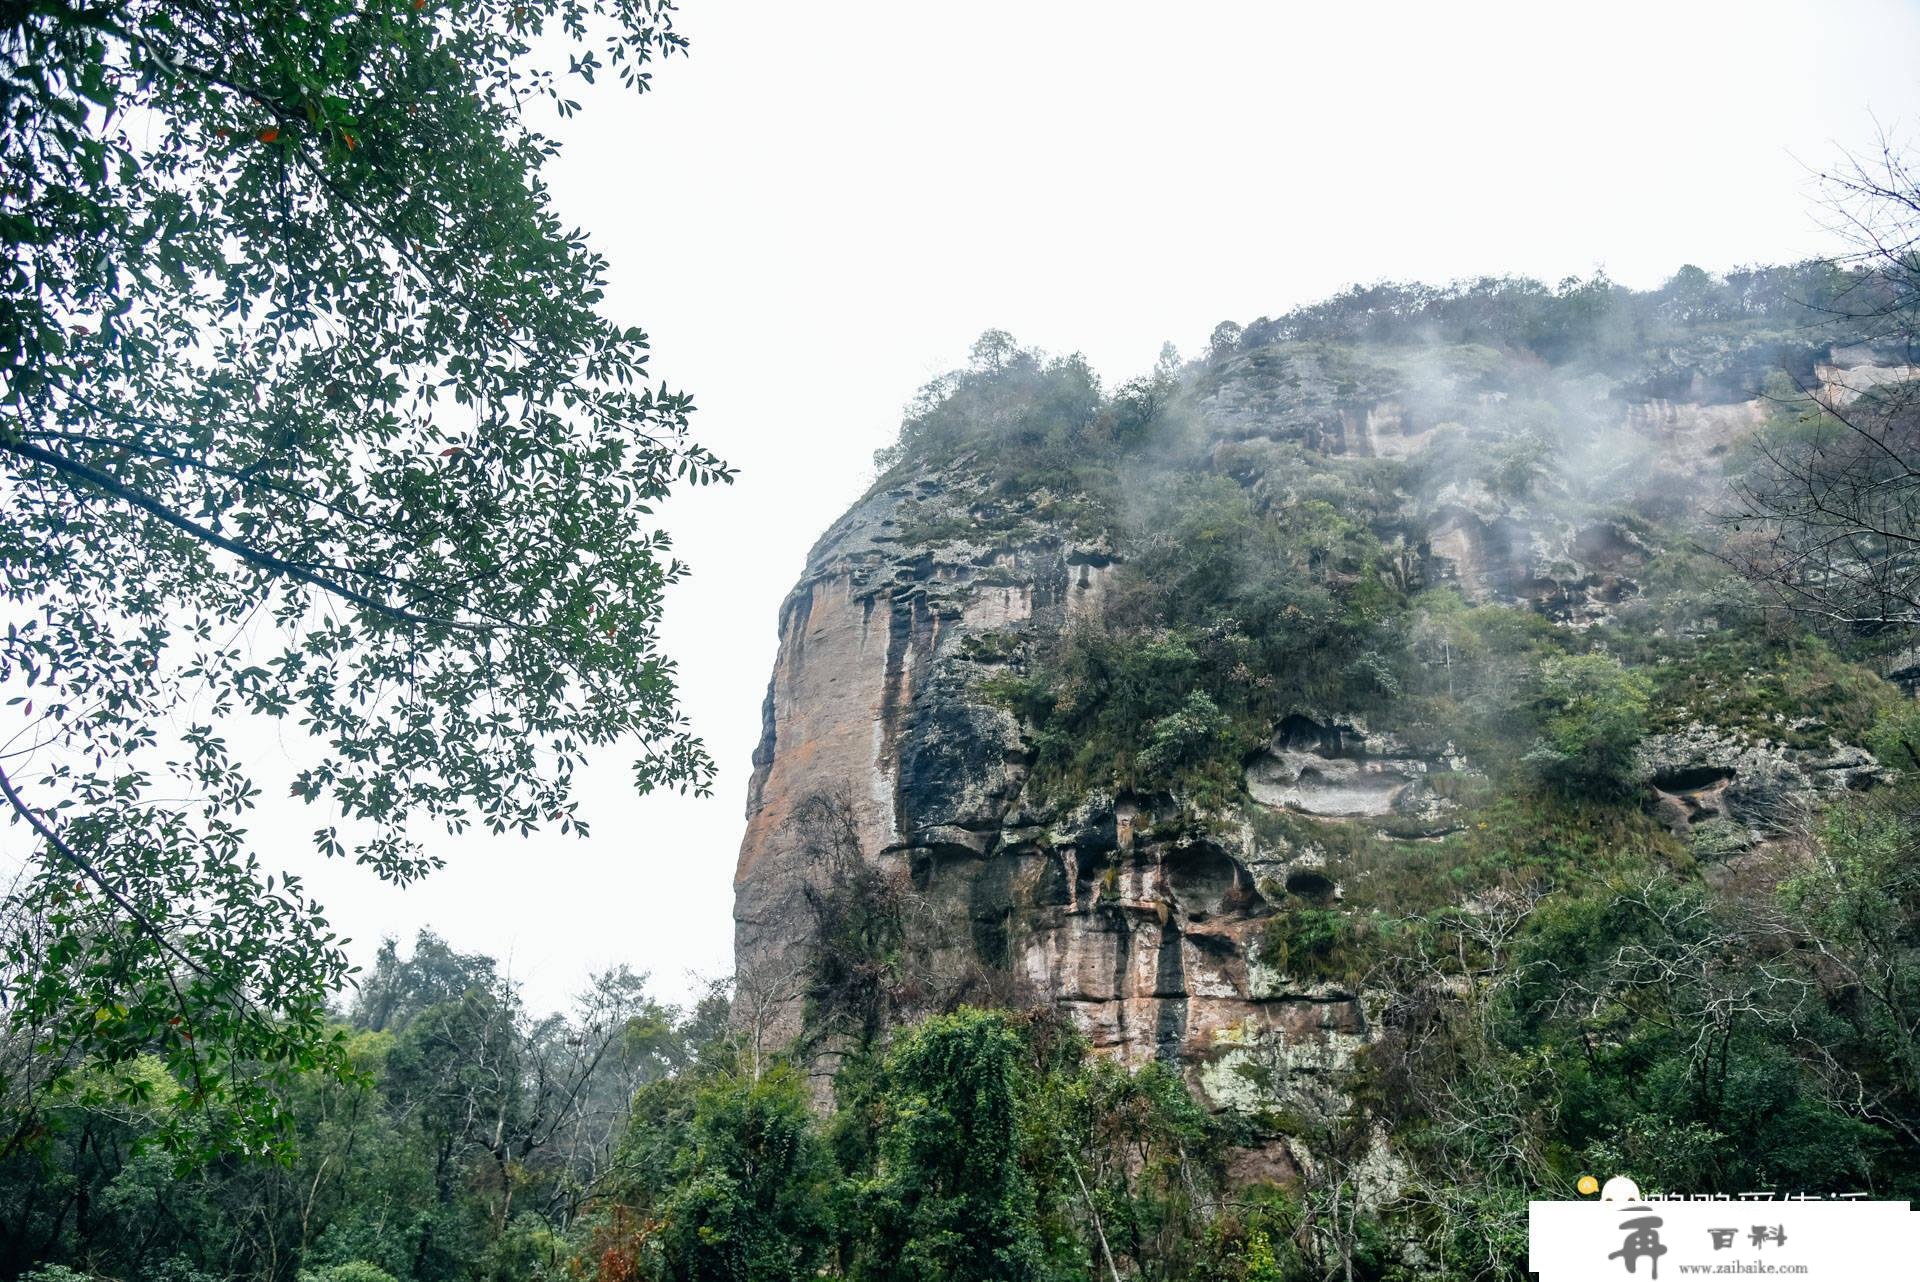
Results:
825 204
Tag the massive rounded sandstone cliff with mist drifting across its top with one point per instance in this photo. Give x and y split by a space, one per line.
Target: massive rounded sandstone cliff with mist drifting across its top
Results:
1330 563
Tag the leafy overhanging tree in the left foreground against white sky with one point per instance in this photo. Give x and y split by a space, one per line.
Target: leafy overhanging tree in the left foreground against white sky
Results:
314 419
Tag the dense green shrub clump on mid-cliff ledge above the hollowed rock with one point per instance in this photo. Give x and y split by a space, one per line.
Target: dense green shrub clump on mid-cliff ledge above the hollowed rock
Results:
1226 621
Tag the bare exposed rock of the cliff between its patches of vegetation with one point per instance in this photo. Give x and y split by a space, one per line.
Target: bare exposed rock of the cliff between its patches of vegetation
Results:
1147 936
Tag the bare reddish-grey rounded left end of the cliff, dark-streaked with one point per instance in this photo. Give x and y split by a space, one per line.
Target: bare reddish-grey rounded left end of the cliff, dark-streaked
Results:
873 700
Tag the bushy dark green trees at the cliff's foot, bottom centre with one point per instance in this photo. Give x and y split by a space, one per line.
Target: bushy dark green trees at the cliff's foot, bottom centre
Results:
978 1145
